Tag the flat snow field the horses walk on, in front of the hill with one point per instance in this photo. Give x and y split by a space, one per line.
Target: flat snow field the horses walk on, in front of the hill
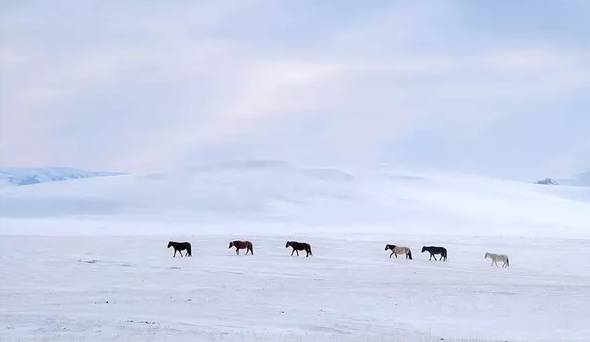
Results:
57 288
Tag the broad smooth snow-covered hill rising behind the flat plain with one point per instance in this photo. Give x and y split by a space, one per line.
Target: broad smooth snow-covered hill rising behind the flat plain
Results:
276 194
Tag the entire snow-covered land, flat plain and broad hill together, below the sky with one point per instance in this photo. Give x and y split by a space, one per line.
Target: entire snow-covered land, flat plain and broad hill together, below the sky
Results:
86 259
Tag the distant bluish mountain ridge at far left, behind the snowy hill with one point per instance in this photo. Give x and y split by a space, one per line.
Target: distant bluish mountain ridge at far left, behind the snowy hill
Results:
28 176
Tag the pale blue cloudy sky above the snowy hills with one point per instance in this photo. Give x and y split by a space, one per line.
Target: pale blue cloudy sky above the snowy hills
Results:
497 88
